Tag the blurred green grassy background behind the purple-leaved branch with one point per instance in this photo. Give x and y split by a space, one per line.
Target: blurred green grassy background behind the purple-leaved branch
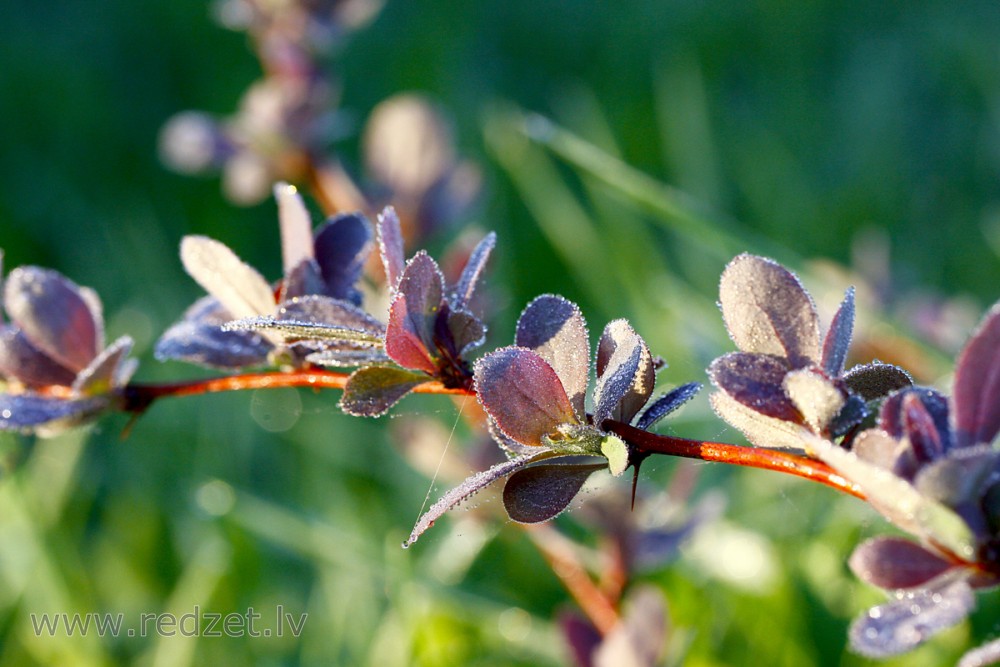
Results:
858 142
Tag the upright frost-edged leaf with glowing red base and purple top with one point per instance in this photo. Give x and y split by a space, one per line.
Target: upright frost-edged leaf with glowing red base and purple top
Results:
409 337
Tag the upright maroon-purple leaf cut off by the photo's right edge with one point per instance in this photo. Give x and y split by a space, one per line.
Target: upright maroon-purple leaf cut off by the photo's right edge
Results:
977 384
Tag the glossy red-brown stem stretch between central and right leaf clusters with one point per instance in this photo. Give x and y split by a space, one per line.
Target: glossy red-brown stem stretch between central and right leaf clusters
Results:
753 457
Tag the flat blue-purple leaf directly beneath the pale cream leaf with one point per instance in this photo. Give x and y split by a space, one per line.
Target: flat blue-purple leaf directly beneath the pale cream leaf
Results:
198 338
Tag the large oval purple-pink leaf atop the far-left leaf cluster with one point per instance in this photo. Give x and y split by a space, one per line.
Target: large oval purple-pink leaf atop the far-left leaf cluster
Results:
54 316
